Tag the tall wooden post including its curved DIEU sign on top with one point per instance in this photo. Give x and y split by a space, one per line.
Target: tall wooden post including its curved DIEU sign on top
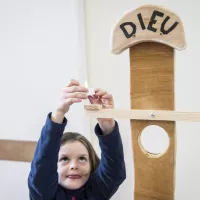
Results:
151 33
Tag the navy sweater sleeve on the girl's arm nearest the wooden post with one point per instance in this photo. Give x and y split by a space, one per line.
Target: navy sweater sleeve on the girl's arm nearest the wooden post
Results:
111 171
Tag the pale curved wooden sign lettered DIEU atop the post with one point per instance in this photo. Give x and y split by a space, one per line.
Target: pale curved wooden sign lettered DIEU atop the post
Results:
152 16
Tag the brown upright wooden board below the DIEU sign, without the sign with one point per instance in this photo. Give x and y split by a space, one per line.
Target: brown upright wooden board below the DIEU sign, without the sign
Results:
152 87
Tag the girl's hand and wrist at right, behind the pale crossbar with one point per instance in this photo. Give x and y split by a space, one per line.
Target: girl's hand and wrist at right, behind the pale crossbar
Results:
106 100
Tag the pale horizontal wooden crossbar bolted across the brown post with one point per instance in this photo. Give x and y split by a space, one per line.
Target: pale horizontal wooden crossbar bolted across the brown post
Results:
160 115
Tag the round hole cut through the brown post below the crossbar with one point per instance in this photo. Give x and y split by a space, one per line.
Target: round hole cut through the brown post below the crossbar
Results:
154 140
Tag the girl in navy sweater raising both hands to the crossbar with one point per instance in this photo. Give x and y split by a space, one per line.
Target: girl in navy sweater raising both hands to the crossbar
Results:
65 166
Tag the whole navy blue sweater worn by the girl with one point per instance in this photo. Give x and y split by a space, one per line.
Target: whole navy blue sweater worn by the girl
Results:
101 185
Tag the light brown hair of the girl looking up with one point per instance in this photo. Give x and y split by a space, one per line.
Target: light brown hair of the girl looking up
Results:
72 137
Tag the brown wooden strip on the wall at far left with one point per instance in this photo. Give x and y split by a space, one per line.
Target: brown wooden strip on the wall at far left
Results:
16 150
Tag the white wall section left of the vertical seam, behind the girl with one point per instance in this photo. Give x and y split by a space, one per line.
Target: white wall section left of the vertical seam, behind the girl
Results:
41 48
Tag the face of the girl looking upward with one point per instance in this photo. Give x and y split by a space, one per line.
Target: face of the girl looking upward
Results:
73 165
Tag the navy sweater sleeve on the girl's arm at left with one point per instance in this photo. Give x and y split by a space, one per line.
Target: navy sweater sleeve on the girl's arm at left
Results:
43 176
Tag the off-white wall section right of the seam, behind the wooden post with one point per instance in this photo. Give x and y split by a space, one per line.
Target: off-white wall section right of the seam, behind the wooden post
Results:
112 73
